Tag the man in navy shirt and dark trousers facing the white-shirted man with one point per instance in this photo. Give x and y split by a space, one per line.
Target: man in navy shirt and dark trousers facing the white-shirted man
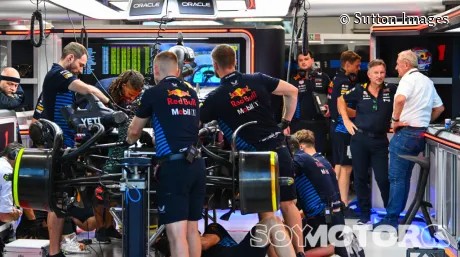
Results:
369 141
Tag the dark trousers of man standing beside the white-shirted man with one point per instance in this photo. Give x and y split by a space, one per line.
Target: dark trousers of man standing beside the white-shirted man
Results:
368 152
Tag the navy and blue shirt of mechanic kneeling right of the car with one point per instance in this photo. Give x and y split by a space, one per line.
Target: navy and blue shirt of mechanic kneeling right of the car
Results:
316 183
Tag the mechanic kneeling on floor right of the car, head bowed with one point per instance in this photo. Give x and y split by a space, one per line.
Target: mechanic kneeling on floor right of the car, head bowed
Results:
318 192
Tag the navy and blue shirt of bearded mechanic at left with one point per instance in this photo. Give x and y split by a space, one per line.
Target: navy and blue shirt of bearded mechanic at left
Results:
56 94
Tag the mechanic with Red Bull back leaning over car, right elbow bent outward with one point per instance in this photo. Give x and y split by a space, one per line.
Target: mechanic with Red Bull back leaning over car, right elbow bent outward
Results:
243 98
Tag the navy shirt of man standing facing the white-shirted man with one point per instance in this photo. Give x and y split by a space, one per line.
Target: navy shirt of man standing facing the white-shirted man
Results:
372 114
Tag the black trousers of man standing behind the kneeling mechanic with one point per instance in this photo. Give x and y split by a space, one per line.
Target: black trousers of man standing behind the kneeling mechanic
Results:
318 127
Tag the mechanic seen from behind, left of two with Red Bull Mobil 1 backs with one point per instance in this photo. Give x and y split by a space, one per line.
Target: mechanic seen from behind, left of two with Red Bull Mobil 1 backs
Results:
174 109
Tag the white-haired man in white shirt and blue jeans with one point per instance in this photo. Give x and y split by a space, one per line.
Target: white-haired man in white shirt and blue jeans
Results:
416 104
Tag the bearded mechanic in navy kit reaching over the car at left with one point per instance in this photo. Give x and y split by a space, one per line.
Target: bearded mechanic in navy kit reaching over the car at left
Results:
60 85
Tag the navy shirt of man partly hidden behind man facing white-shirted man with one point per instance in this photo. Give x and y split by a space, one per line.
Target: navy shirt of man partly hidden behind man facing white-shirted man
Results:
339 86
